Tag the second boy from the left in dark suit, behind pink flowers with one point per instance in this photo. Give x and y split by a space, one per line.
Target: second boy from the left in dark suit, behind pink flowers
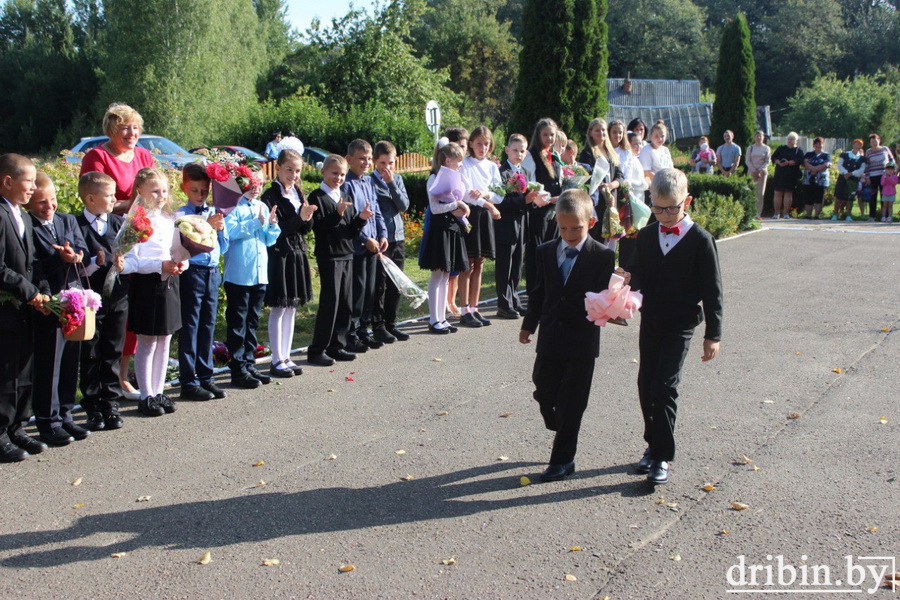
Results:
58 251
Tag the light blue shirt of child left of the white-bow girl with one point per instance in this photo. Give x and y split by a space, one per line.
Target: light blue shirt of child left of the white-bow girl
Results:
247 260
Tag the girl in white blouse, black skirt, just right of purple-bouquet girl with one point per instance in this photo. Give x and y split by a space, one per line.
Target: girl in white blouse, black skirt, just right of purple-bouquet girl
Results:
480 175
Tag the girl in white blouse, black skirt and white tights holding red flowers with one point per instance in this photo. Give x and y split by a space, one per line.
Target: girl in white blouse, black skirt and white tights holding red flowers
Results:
154 302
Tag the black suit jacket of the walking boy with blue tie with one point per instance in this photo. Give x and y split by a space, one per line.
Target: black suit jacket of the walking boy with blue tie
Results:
559 307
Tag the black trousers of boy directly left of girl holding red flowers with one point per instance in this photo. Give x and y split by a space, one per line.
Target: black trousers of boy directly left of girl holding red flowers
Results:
101 357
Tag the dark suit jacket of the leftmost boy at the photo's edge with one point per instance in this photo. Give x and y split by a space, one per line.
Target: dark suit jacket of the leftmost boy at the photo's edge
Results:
17 271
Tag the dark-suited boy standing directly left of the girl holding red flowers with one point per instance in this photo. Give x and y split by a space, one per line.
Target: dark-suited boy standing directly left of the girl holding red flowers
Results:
101 356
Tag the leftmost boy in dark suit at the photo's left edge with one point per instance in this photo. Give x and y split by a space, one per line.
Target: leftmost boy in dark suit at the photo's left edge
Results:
17 175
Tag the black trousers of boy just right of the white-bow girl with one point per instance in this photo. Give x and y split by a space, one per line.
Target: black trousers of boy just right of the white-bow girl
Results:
335 296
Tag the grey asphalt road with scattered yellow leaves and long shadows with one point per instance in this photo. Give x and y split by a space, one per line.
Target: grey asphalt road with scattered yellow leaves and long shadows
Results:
801 302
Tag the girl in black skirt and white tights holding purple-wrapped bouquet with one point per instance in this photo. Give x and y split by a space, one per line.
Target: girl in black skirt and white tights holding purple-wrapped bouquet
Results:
443 248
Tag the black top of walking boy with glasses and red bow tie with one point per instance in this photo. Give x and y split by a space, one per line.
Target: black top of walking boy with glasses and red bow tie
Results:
675 284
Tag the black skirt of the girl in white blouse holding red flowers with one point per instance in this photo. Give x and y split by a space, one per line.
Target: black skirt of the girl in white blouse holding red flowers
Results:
154 304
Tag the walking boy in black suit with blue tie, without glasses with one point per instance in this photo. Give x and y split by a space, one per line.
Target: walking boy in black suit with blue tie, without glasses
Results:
568 344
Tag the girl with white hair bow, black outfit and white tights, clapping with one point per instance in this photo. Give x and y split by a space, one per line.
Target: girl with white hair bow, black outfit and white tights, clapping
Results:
290 282
